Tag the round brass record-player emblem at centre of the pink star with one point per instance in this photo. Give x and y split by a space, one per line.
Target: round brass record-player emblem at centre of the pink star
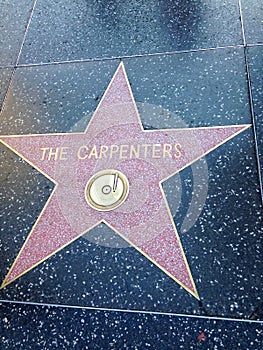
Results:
107 190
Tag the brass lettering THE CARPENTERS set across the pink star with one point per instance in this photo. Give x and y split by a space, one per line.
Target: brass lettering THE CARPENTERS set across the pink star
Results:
124 151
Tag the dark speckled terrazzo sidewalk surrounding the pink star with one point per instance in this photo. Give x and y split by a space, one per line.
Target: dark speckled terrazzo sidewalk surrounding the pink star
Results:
190 64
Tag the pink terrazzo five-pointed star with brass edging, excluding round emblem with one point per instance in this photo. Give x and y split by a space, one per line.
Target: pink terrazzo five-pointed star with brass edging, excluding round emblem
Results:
113 139
